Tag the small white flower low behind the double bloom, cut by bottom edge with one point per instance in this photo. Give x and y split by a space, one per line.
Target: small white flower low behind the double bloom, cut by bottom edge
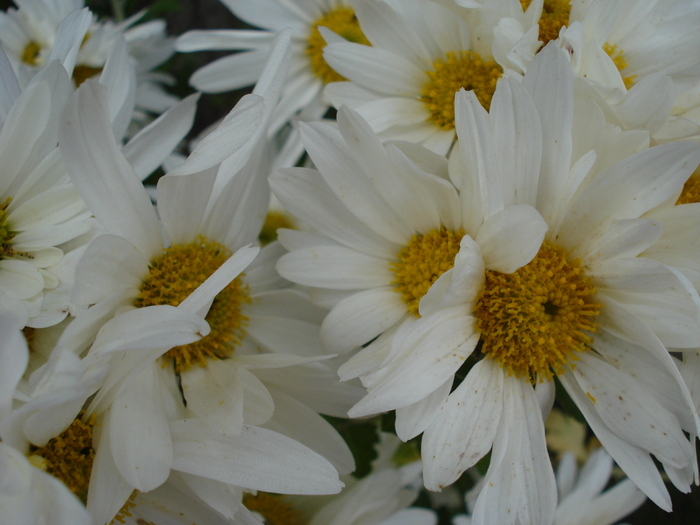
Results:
583 498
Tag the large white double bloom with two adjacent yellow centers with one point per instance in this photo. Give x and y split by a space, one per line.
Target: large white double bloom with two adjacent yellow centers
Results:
525 295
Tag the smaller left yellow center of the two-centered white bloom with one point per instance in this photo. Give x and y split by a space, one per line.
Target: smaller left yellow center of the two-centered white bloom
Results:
422 261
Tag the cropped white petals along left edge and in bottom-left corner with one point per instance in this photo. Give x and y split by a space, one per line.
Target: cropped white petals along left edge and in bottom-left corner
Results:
28 494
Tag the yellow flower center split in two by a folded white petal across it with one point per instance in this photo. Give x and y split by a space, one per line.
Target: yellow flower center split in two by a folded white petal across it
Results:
175 275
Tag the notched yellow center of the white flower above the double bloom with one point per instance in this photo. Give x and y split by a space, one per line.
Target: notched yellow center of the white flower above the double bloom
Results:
464 69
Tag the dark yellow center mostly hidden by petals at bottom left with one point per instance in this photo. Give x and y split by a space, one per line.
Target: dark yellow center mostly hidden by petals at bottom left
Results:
69 457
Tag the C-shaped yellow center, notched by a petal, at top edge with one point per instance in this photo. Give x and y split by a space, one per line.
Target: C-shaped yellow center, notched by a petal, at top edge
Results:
342 21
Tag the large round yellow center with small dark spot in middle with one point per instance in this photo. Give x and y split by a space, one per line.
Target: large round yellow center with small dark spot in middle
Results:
532 321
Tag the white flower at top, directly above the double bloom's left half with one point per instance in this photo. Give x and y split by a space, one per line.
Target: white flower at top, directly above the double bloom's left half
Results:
404 84
